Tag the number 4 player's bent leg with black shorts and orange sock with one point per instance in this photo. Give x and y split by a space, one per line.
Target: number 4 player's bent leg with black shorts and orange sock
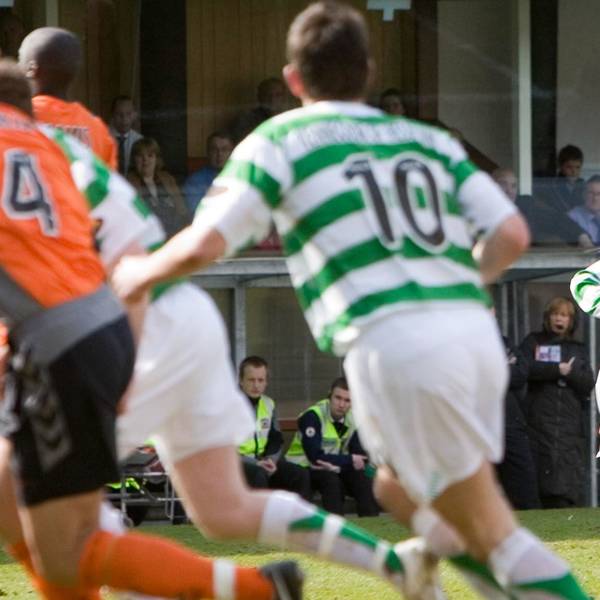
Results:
60 514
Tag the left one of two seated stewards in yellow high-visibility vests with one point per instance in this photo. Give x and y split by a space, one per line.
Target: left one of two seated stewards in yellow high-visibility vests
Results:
262 460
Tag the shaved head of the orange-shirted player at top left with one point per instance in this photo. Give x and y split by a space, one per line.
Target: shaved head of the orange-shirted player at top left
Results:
51 58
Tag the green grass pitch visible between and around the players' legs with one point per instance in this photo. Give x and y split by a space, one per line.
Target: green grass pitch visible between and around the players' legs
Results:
574 534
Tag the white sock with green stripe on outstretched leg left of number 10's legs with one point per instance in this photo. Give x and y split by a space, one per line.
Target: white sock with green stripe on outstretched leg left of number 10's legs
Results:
290 522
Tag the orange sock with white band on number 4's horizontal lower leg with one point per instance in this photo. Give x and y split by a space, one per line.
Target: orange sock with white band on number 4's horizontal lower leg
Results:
158 567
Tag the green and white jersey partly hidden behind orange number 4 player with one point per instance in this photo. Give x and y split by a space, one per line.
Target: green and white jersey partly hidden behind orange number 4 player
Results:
122 217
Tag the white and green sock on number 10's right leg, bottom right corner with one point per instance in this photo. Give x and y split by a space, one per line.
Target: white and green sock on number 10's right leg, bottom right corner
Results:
527 568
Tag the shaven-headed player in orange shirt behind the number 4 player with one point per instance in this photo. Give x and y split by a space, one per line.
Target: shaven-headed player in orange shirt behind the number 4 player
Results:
51 58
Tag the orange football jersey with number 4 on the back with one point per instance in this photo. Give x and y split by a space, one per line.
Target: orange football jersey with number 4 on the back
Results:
46 240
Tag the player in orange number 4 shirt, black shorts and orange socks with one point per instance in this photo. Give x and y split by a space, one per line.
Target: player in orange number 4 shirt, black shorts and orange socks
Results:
72 357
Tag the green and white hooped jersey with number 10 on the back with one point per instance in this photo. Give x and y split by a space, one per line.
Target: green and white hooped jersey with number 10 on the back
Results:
376 213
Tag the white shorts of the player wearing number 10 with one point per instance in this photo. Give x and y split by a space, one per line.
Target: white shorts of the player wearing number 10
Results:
428 395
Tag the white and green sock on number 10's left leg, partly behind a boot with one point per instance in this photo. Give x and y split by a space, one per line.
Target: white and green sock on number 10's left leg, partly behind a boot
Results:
443 541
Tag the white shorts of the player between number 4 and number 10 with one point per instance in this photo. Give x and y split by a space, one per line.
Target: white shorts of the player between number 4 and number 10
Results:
184 392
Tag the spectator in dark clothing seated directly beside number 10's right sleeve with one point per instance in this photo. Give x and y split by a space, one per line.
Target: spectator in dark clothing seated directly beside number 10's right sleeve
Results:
547 225
